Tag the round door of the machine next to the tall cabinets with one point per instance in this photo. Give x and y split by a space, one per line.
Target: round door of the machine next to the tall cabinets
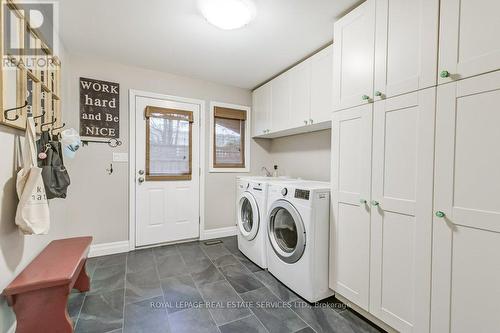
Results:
287 233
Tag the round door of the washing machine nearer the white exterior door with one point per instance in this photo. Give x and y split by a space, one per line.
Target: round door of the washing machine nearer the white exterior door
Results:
248 216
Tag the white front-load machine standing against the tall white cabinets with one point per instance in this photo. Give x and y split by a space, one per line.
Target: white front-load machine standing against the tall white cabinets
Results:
298 221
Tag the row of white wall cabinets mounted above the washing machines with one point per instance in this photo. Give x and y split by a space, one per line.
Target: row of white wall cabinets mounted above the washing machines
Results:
298 101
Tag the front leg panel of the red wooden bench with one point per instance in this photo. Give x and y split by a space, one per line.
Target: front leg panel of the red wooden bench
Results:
43 310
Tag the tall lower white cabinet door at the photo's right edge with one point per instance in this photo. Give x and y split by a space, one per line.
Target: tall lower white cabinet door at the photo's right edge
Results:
466 239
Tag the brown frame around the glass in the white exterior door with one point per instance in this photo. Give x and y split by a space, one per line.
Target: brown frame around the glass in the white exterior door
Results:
150 112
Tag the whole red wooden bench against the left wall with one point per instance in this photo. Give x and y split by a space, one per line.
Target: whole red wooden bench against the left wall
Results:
39 295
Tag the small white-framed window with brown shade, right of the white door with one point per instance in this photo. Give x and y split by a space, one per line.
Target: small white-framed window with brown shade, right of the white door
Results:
229 138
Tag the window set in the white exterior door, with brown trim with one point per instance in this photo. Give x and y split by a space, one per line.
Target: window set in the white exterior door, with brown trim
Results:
168 144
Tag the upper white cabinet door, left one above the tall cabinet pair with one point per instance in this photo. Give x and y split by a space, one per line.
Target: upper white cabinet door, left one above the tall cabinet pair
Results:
353 57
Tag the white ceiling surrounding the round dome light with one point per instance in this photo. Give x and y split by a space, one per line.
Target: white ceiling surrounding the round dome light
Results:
172 36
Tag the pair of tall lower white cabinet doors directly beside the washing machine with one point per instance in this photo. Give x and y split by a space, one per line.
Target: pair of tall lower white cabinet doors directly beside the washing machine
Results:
382 208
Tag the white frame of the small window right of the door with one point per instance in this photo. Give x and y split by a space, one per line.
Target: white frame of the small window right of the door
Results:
245 142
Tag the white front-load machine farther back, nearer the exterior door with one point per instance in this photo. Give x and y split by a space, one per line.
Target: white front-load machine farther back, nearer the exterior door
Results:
251 208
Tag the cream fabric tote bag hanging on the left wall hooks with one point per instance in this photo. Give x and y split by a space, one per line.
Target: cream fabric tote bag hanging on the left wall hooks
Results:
32 215
